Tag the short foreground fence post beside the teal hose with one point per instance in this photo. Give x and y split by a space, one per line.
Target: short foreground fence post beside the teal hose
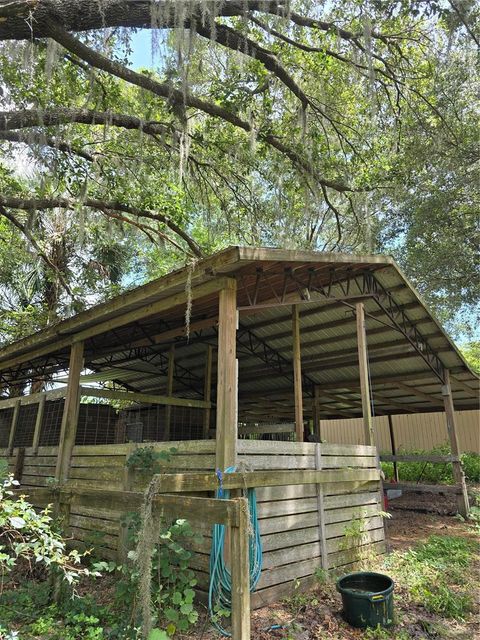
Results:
240 574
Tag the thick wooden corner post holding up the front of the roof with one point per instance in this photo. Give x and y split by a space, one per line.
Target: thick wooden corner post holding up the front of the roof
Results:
226 436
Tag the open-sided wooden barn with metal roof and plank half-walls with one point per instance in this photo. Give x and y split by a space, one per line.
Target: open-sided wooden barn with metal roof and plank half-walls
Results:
236 358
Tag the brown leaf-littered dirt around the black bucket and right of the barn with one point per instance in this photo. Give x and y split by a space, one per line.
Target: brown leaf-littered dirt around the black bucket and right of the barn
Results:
317 615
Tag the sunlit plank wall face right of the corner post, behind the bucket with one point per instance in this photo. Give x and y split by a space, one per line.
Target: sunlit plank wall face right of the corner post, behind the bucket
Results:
289 520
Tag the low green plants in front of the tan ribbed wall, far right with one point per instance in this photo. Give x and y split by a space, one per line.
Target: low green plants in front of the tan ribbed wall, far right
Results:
434 473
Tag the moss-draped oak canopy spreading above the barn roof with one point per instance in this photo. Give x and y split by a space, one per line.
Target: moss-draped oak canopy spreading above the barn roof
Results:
345 126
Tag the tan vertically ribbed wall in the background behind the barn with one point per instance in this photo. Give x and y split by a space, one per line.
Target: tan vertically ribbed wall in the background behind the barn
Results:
412 431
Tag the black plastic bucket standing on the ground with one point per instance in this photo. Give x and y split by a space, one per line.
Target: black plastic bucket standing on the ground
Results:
367 599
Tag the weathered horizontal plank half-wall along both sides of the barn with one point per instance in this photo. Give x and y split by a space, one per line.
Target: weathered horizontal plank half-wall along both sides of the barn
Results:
289 519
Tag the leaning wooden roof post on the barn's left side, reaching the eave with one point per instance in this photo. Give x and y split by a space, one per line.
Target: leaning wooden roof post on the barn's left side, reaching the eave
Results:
68 428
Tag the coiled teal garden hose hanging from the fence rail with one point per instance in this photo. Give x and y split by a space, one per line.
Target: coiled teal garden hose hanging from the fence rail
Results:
220 587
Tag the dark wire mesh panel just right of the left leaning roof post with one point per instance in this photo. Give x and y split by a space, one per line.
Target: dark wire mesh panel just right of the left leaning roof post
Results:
96 424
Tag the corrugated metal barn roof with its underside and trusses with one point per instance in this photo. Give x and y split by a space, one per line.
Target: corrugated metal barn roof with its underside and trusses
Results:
408 348
